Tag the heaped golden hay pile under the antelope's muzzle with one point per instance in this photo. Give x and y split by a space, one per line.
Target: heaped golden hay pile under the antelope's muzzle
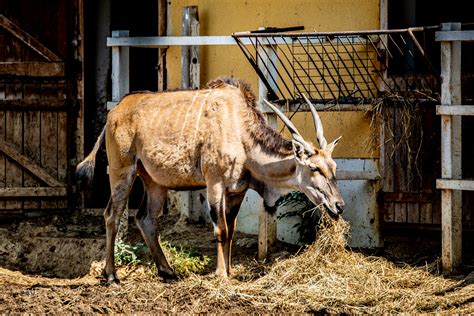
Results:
328 277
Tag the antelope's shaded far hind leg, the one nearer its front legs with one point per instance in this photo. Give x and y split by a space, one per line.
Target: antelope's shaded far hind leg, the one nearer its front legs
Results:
147 220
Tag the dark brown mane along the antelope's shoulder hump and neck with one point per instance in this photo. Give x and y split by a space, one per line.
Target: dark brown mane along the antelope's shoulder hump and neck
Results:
259 129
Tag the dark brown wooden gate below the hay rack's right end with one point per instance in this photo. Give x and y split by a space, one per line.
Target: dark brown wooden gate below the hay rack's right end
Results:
411 152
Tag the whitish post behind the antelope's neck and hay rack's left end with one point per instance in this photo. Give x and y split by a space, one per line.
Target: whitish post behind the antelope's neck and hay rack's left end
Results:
267 224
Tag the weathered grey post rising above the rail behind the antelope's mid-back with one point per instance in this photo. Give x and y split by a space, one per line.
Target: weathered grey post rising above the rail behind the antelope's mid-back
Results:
192 206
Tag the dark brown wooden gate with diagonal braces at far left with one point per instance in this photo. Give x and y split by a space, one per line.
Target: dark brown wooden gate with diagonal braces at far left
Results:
40 80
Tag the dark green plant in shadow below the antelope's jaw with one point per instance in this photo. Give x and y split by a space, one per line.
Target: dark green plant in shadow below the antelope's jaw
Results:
306 211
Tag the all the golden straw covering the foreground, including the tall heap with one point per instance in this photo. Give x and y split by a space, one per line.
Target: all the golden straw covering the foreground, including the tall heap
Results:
325 277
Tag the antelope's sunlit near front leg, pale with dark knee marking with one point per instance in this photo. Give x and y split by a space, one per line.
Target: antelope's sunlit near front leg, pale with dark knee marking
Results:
216 200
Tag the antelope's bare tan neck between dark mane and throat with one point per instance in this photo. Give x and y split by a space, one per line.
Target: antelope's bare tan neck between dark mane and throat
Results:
275 169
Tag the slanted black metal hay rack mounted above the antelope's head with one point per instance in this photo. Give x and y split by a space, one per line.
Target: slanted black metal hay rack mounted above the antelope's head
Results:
343 67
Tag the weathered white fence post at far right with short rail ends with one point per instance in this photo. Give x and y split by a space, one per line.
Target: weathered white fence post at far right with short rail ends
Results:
451 183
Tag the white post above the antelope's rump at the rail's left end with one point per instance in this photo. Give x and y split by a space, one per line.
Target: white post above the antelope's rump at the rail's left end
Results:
120 87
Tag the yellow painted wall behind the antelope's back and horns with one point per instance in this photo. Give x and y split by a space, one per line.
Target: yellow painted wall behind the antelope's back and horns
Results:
225 17
